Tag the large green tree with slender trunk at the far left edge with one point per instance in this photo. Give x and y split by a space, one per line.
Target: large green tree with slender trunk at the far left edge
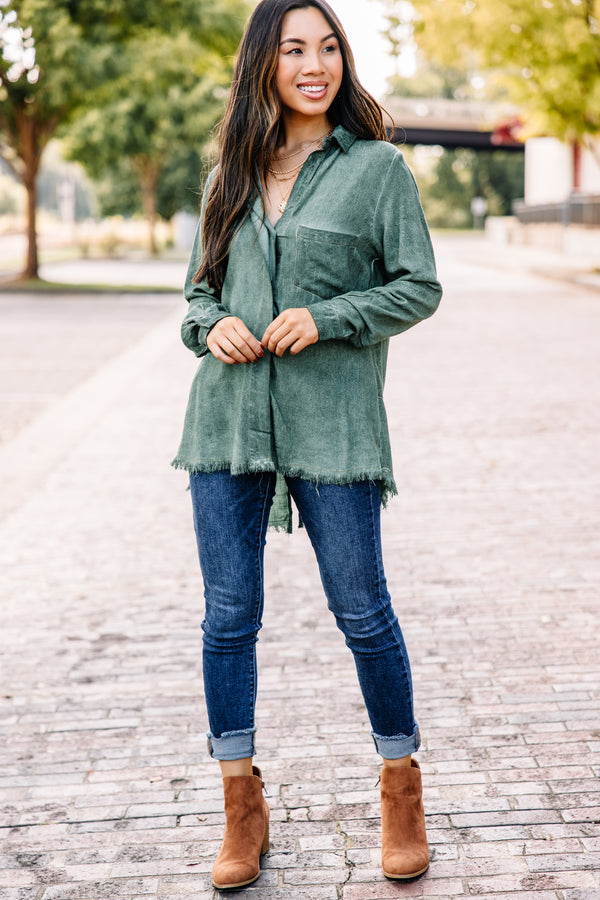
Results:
58 56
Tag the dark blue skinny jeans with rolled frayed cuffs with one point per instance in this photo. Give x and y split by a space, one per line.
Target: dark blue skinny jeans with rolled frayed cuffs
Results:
343 523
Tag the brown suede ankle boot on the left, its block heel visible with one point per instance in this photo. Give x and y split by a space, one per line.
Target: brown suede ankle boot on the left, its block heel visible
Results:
246 831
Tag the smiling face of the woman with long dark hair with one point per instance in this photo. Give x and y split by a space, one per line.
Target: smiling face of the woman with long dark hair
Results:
310 67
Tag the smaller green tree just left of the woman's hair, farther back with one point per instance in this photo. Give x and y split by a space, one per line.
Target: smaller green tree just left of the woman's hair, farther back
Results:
151 126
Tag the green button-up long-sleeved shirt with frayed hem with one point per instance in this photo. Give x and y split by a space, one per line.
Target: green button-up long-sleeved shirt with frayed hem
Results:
353 247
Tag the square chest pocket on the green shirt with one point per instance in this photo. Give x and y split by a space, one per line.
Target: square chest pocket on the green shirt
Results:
329 263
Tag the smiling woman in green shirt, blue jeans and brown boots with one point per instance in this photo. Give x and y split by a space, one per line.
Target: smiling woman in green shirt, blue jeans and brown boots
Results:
313 251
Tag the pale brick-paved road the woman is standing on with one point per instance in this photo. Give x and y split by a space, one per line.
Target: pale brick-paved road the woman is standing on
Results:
492 553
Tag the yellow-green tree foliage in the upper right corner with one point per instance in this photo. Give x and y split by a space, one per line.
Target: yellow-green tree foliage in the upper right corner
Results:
545 52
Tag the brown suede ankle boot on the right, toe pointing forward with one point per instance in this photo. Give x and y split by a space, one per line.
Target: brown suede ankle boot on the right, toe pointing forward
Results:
404 851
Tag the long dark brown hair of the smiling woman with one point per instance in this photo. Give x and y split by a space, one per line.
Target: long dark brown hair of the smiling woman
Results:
250 129
